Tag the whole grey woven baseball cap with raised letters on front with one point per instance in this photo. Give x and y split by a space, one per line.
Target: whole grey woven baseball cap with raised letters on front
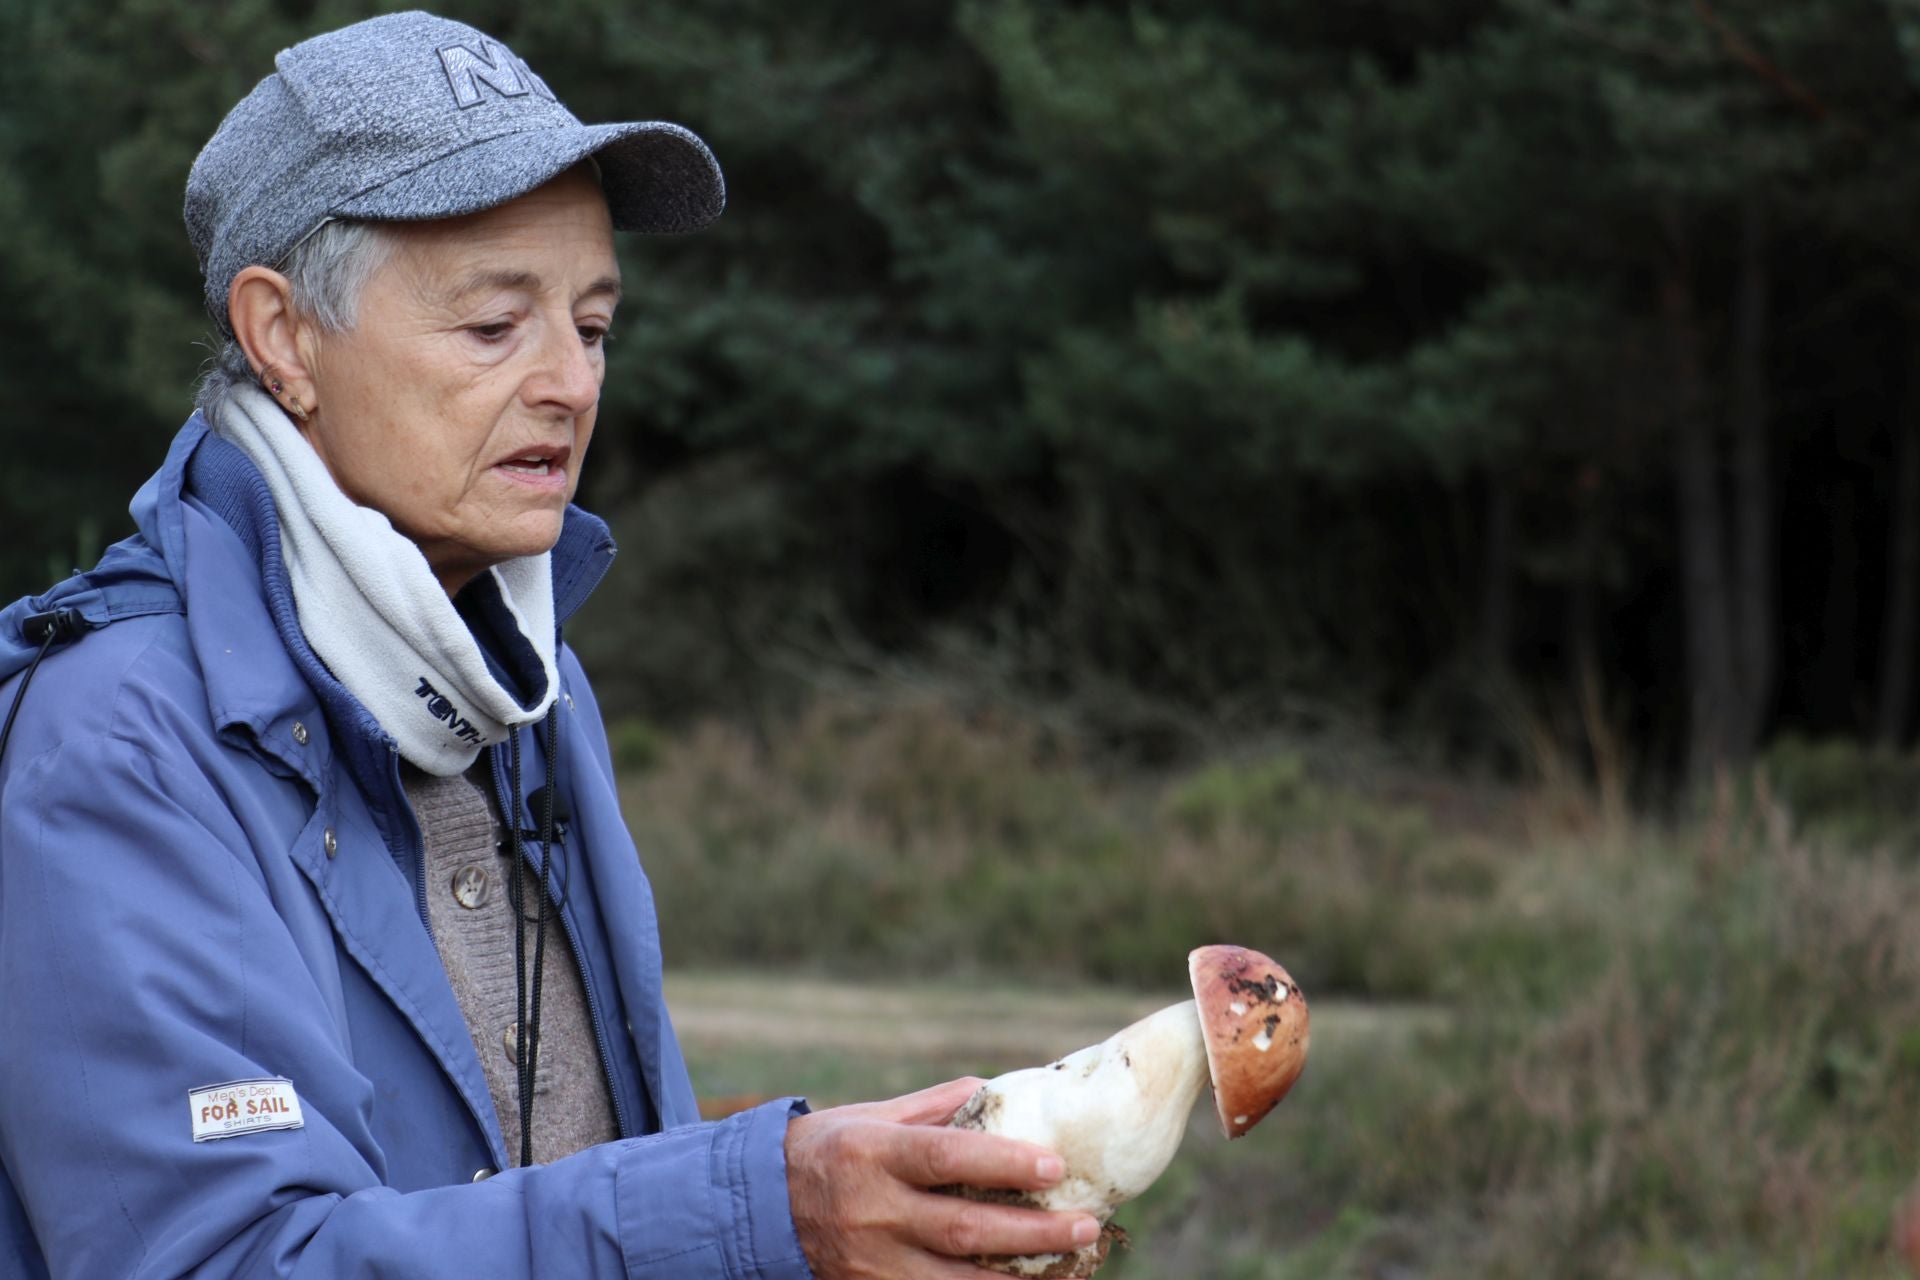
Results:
408 118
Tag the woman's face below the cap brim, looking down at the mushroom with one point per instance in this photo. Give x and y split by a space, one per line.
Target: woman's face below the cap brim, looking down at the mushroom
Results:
464 400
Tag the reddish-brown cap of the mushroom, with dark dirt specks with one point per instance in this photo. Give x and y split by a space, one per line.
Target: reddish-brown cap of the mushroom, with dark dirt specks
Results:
1255 1024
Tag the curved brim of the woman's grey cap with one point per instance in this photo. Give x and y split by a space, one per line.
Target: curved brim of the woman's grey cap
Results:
658 178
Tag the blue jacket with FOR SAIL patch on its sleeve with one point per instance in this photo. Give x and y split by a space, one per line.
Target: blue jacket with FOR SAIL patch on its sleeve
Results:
210 874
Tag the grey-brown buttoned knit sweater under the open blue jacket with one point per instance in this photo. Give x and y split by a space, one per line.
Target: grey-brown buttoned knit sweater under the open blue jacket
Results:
468 903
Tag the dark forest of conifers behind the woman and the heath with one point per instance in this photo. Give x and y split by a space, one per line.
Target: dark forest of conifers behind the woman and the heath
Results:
1466 369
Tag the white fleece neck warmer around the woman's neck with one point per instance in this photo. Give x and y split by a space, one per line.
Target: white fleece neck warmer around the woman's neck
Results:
375 613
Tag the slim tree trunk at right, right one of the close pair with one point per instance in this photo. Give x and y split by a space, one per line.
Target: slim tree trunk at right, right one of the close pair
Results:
1752 488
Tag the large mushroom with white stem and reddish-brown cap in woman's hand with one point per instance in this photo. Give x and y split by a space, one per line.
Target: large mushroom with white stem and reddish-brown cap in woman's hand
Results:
1116 1110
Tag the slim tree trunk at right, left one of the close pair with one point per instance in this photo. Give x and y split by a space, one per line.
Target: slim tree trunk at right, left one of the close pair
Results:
1704 575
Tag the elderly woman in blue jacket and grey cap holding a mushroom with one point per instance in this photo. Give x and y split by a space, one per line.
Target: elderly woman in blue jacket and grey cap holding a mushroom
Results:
325 949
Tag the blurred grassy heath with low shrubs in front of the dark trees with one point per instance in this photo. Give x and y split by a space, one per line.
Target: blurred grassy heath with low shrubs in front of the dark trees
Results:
1644 1049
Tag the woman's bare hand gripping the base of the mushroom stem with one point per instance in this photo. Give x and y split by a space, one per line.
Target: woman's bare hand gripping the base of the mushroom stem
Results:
859 1185
